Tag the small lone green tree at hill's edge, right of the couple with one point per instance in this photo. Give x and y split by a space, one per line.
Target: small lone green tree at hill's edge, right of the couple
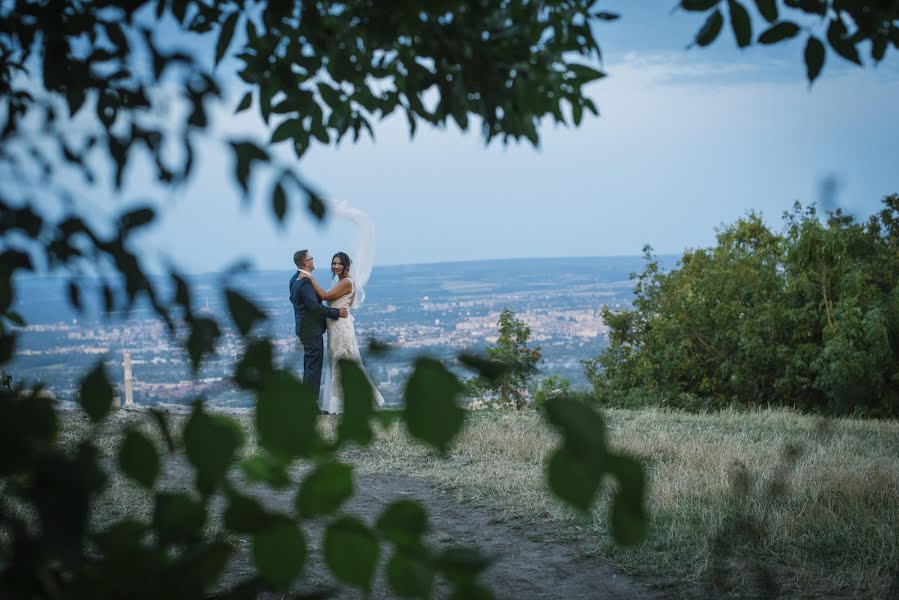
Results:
511 350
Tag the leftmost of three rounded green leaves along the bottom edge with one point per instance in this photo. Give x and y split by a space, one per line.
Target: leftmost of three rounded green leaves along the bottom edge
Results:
280 553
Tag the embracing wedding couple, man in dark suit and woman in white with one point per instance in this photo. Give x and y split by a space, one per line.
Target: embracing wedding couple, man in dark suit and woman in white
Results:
313 318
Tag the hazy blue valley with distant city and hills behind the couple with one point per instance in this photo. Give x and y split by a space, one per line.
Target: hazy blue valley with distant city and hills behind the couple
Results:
437 310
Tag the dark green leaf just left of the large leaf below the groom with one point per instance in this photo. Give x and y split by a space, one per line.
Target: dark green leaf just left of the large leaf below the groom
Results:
211 442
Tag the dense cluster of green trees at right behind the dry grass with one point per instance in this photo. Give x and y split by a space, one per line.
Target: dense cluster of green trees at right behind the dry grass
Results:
807 318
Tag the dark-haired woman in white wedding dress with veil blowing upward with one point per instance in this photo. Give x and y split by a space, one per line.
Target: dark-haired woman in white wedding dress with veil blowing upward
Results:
346 293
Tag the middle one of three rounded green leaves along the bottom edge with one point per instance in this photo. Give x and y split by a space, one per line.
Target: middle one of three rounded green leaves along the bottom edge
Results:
351 552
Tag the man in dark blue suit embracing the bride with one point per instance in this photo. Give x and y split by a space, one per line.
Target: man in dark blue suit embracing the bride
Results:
309 314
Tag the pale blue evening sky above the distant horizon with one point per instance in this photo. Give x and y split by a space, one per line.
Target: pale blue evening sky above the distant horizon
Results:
687 140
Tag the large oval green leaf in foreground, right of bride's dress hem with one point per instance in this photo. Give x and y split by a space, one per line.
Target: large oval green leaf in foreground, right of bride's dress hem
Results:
432 411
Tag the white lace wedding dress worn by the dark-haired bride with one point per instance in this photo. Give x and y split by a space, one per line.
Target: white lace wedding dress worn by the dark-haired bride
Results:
342 344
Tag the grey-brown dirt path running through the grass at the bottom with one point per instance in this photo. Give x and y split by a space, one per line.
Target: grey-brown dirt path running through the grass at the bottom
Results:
533 561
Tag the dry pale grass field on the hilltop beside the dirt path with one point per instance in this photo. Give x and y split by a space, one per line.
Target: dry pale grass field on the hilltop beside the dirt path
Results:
751 504
